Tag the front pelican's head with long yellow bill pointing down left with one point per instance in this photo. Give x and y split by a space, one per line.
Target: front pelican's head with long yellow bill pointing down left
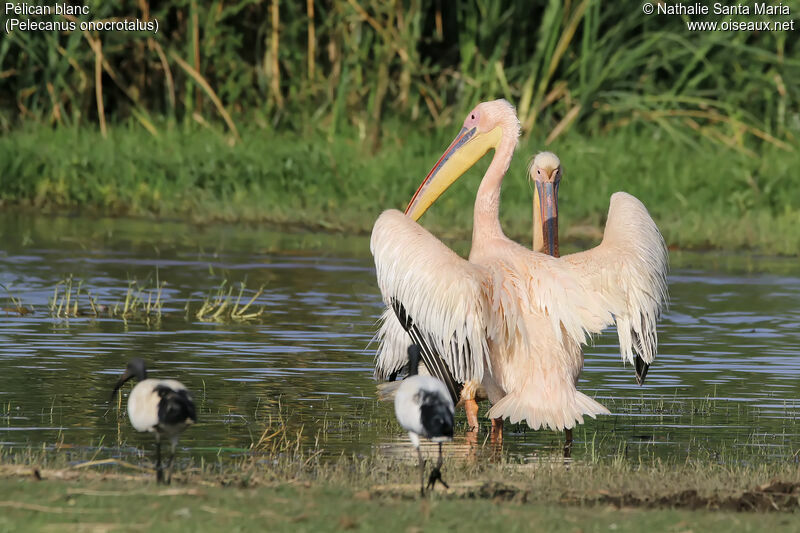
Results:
483 129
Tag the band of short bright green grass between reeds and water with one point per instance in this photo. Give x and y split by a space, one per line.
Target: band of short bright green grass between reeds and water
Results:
700 195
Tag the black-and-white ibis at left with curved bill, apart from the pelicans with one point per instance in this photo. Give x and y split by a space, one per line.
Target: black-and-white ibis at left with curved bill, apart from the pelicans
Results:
162 407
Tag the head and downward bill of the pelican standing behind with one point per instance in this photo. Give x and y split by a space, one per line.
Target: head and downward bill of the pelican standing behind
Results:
545 172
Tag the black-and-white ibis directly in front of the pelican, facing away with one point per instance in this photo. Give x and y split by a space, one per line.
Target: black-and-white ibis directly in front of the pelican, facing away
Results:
424 408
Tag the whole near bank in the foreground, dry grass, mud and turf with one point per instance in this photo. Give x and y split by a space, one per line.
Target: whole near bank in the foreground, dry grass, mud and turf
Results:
372 493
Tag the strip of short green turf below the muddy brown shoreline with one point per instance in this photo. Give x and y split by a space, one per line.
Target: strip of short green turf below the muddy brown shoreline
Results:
112 506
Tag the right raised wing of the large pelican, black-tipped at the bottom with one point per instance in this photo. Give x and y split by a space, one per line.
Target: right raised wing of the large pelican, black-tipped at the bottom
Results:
628 269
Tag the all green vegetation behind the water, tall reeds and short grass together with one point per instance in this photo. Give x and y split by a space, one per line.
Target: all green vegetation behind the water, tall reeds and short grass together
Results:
326 112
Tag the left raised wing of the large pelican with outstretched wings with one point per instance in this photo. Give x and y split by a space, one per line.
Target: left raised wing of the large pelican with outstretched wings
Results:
438 298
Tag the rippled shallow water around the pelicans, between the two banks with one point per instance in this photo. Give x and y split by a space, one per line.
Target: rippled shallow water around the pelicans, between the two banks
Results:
726 382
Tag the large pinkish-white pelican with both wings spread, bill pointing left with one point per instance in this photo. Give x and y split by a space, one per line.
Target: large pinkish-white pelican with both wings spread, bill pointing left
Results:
510 318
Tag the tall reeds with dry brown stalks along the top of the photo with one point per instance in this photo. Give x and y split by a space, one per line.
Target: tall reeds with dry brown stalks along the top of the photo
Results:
345 65
